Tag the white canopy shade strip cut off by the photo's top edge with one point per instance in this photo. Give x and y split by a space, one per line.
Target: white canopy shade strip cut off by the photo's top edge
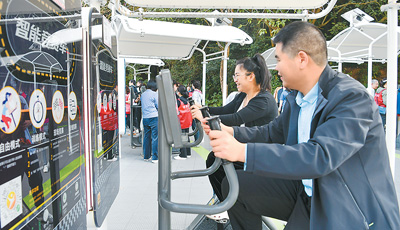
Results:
230 4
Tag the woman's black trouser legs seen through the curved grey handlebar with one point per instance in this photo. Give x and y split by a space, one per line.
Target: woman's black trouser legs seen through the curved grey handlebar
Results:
217 177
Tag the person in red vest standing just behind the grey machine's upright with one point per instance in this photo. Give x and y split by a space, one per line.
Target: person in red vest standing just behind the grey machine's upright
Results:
185 118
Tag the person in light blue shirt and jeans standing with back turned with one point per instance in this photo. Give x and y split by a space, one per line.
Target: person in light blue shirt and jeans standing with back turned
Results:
149 101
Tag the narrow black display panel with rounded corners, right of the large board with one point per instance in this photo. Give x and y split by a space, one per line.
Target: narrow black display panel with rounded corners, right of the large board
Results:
105 138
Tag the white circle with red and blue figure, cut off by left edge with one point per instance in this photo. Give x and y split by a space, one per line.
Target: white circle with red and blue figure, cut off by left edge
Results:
10 108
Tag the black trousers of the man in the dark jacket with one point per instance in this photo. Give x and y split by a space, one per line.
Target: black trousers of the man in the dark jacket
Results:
263 196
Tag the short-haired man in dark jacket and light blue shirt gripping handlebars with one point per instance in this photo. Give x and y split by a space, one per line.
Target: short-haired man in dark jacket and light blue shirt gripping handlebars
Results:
322 164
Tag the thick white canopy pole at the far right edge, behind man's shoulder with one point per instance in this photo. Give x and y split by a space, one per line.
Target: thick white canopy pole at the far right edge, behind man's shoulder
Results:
392 17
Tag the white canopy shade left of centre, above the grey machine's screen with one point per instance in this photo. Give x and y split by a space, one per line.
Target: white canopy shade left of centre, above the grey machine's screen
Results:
167 40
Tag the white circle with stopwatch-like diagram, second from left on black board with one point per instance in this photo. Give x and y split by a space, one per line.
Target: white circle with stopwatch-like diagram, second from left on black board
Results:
37 108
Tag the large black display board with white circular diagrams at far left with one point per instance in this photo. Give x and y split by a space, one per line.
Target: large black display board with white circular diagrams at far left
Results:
42 174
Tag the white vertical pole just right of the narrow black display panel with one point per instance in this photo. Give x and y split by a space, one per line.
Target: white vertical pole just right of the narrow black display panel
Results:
121 95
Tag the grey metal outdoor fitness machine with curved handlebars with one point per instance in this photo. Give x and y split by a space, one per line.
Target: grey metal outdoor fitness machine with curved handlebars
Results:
170 135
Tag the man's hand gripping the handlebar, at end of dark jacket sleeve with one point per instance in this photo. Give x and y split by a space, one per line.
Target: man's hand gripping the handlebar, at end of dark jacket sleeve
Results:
225 146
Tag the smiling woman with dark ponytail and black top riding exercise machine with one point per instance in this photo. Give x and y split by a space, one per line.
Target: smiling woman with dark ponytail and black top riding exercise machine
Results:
254 105
